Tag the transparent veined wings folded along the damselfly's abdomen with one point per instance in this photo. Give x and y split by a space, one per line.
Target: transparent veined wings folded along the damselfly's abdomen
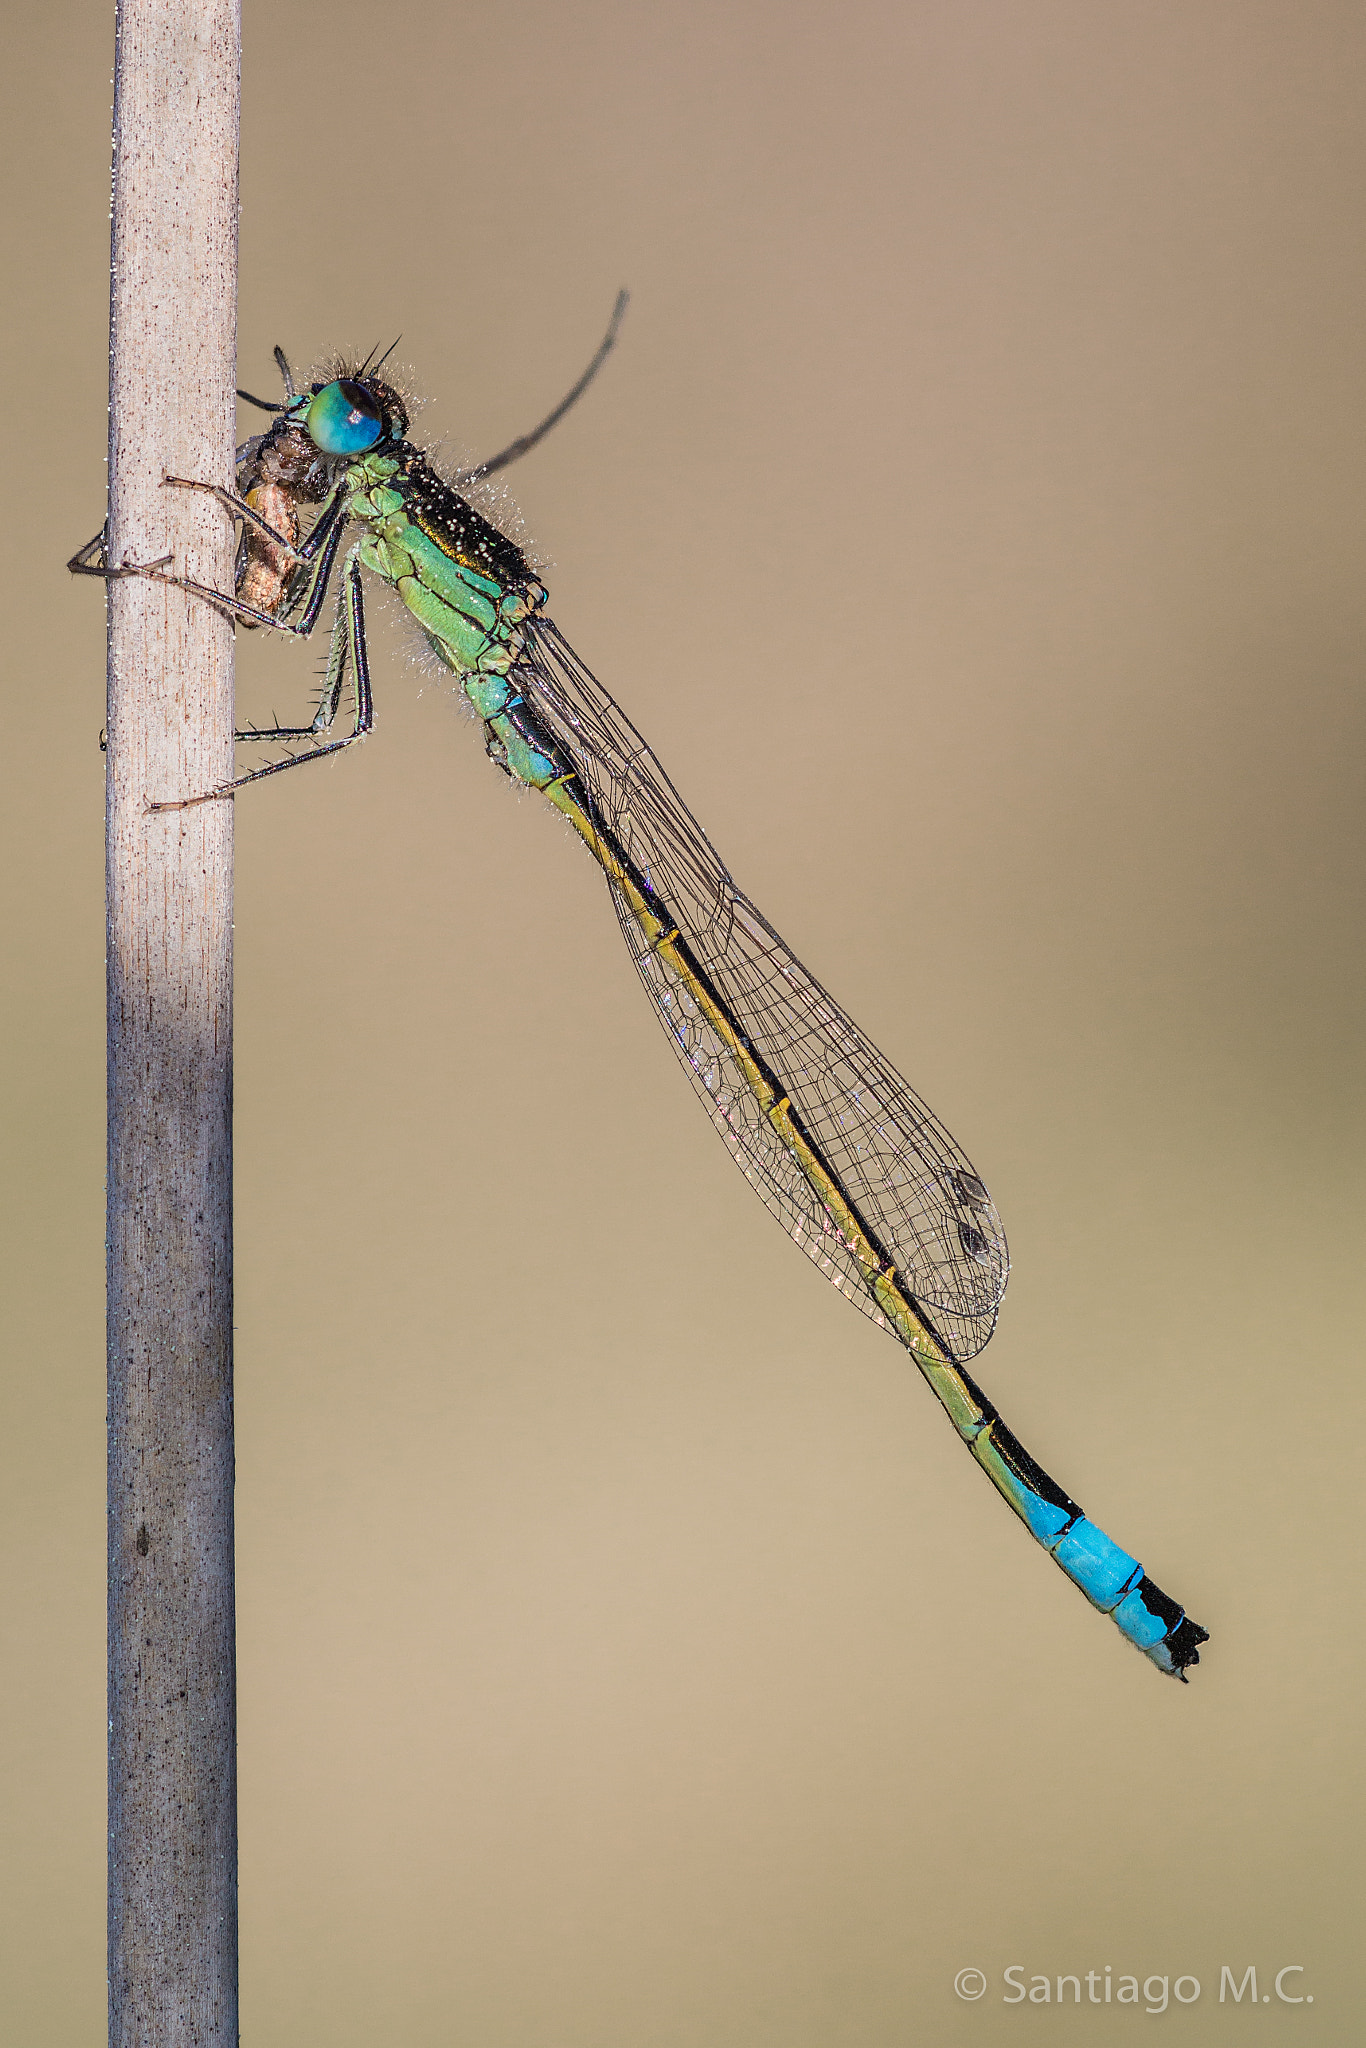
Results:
914 1191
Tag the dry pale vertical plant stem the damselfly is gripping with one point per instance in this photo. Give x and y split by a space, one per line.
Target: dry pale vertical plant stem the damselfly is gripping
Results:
173 1814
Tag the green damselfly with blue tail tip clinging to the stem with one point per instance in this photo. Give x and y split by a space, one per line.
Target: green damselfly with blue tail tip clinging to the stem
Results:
855 1166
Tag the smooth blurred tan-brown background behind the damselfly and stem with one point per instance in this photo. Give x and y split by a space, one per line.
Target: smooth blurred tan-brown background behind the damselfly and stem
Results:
972 517
